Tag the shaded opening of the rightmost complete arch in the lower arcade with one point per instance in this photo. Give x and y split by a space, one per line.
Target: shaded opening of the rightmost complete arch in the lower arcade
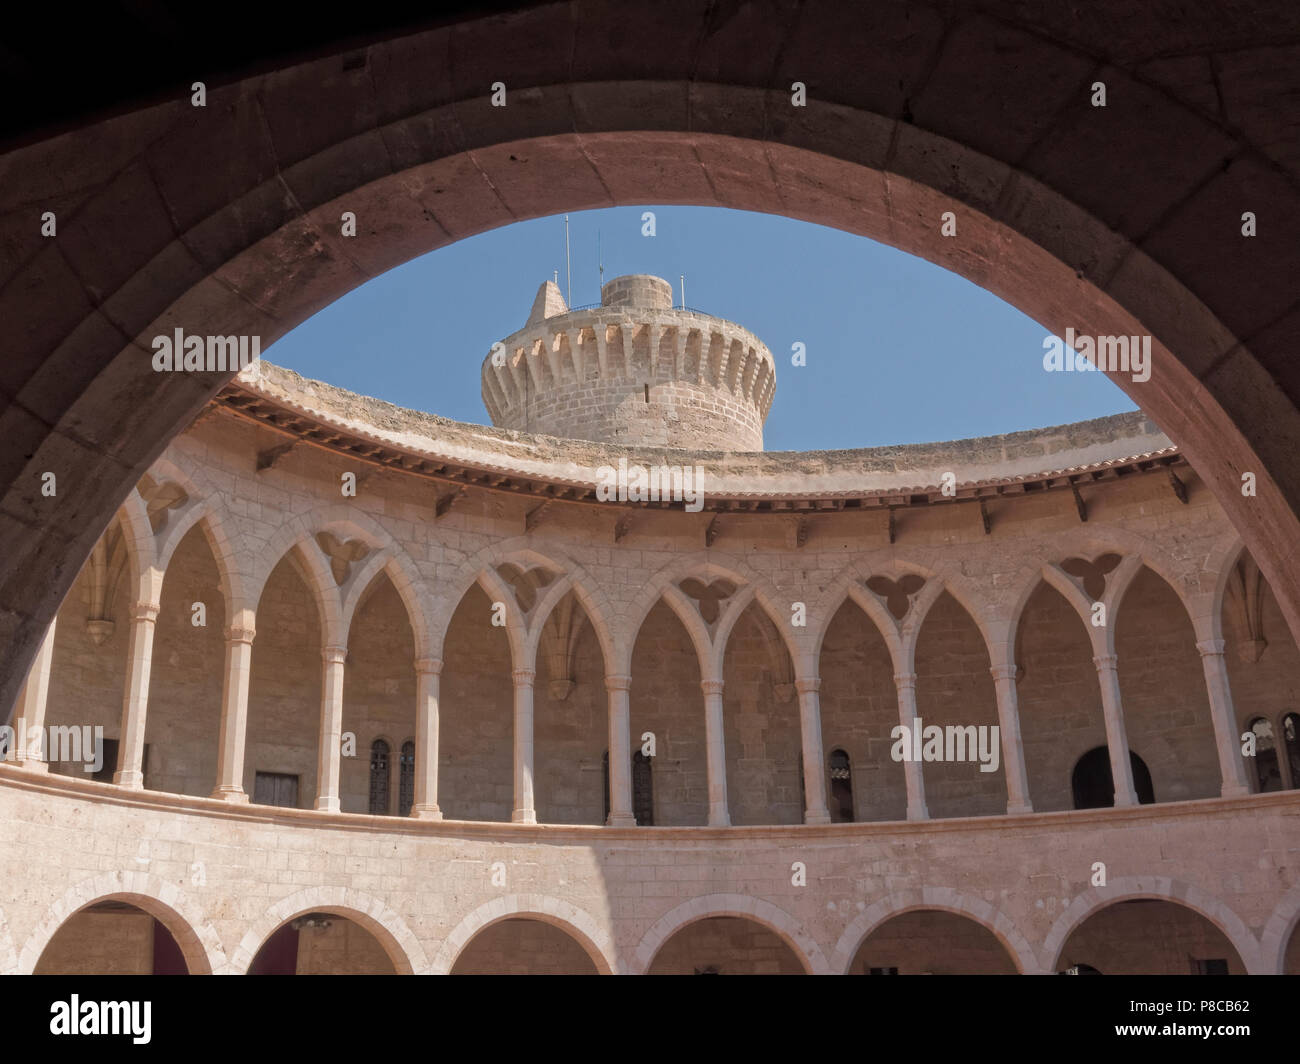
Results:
1150 937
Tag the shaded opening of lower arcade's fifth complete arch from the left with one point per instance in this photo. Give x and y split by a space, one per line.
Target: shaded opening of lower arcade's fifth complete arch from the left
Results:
931 942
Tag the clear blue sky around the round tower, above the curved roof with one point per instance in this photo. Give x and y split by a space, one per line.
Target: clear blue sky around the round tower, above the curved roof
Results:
899 351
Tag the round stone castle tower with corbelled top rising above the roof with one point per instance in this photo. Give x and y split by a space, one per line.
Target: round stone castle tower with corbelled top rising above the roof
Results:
632 371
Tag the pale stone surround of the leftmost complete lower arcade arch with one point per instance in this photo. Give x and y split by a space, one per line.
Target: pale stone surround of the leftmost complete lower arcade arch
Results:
201 946
